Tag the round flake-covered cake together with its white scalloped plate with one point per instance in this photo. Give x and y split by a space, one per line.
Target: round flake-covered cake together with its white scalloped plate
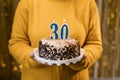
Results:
57 51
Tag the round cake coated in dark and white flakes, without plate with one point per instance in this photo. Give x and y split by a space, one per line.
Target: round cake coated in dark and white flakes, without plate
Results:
53 49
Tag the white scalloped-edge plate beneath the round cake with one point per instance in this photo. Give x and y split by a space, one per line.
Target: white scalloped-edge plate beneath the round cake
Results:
58 62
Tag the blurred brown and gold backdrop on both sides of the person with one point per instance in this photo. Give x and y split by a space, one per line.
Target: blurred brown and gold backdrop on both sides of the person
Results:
107 68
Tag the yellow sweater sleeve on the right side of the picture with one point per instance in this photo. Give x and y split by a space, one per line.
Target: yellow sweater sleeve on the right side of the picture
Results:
93 43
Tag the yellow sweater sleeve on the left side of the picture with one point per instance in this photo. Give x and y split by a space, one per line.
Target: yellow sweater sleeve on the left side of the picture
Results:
19 44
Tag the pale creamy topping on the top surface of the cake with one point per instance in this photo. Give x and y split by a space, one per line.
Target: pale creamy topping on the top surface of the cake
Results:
59 43
